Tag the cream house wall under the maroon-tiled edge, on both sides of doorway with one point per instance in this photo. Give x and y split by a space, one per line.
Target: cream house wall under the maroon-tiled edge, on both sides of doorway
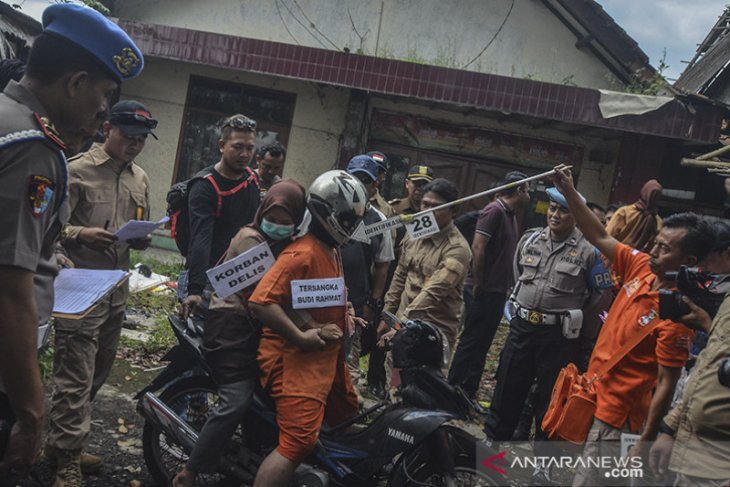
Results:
318 122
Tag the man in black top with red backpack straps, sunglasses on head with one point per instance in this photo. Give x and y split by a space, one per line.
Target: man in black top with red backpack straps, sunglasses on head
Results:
219 204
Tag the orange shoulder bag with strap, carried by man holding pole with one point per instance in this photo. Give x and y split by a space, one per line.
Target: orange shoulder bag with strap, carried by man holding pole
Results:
573 401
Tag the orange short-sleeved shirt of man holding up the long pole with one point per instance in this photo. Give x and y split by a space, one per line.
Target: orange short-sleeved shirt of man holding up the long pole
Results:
625 391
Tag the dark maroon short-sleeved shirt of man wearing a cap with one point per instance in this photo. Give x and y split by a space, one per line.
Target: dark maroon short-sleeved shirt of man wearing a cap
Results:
499 223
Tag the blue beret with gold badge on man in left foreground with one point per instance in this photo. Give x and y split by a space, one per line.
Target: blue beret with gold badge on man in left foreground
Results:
97 35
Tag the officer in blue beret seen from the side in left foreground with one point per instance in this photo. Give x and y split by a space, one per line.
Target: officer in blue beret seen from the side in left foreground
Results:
75 65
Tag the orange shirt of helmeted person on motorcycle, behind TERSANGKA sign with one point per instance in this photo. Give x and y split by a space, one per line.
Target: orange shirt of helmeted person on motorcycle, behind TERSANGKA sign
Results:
306 374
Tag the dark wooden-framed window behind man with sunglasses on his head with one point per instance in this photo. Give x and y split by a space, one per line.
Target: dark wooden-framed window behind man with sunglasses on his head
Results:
210 101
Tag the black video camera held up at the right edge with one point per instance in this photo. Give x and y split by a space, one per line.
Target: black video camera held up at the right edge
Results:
697 286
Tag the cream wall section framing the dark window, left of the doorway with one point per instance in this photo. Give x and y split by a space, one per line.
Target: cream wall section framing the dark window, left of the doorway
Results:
313 141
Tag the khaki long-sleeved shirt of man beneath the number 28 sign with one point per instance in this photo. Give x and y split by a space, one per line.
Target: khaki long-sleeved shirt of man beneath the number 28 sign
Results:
428 283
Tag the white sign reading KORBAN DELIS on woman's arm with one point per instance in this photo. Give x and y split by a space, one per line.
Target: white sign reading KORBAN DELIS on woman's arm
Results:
241 271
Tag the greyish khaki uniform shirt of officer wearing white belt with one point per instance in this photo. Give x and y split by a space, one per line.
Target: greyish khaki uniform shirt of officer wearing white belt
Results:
553 277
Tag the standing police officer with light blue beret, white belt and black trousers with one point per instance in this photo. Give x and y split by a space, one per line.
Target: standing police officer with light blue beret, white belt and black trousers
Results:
558 273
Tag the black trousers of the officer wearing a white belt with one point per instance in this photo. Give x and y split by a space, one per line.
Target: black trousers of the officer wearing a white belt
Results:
530 352
